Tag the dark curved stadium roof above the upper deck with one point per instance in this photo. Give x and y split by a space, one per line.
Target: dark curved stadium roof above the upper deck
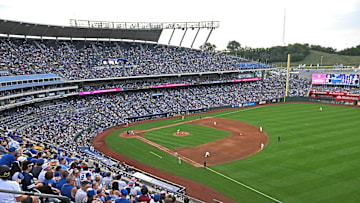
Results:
32 29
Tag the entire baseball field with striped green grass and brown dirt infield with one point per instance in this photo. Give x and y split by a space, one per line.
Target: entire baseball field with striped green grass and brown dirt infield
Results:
316 159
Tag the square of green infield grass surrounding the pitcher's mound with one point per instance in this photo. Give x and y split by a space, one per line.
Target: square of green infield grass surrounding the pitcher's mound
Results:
198 135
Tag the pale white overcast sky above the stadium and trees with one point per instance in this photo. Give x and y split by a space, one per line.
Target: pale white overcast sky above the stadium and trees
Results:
256 23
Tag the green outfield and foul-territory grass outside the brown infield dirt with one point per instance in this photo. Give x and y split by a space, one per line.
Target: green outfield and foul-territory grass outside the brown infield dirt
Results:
317 159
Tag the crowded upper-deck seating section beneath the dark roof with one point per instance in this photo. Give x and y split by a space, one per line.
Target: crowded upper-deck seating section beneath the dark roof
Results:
87 60
